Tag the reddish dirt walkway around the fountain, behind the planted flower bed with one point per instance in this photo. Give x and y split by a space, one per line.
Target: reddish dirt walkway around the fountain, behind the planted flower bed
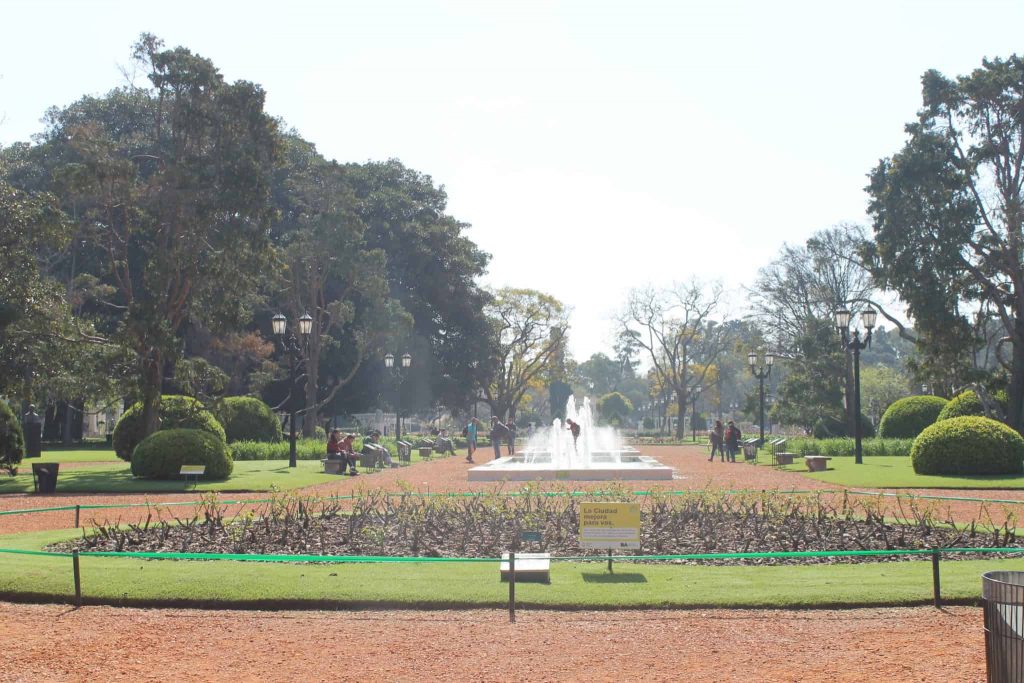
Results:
449 475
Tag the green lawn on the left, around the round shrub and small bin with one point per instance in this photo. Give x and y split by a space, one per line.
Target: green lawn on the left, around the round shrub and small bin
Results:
116 479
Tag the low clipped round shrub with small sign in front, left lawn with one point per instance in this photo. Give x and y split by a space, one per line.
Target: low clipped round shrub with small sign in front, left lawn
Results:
162 454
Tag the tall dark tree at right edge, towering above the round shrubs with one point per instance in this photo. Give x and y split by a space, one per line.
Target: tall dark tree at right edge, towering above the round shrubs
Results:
949 210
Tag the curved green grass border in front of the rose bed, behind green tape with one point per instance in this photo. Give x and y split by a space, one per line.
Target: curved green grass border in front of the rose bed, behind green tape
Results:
574 585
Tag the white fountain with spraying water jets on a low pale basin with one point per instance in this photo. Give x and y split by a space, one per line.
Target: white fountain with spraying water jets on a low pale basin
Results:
598 455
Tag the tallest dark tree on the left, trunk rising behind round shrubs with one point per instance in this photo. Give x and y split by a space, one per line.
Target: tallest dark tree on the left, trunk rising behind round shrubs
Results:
169 187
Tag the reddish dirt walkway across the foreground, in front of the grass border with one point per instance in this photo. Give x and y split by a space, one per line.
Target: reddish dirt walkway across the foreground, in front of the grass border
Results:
55 644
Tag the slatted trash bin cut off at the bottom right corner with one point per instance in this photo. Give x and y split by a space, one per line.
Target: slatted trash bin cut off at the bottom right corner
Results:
1003 597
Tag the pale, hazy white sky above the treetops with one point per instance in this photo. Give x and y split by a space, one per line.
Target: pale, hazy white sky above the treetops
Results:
593 147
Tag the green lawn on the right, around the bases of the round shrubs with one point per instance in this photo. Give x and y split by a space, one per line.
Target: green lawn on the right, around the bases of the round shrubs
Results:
892 473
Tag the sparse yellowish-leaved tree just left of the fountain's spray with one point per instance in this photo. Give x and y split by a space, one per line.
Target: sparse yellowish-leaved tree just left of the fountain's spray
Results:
529 329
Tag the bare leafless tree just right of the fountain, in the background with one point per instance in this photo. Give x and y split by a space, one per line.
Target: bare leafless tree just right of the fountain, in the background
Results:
676 329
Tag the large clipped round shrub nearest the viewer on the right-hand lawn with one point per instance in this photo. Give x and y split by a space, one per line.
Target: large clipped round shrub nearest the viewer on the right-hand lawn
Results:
968 446
